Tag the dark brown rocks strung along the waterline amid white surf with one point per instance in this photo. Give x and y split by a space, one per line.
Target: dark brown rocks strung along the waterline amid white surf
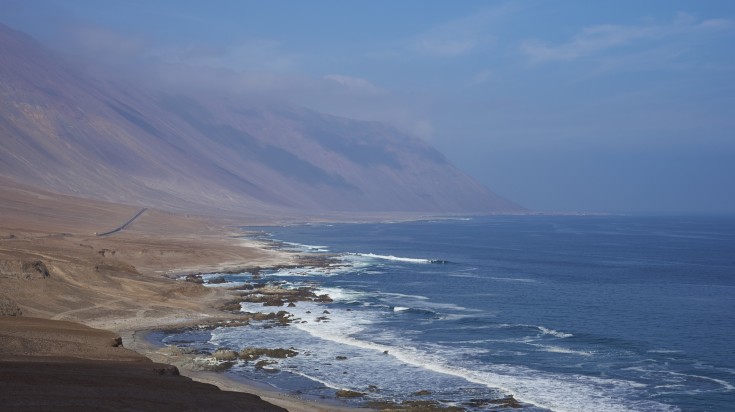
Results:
276 298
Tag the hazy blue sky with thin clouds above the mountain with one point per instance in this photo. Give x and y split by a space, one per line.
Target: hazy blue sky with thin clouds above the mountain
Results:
624 106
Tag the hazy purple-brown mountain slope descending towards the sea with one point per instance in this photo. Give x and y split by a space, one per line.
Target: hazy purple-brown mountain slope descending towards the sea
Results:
68 132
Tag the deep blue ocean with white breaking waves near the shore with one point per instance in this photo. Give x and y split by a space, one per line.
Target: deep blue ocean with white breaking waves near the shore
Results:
565 313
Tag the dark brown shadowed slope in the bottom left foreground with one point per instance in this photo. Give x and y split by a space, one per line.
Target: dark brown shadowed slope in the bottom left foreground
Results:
90 370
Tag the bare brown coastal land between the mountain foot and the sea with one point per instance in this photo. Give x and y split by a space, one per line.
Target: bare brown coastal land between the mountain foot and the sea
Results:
66 280
